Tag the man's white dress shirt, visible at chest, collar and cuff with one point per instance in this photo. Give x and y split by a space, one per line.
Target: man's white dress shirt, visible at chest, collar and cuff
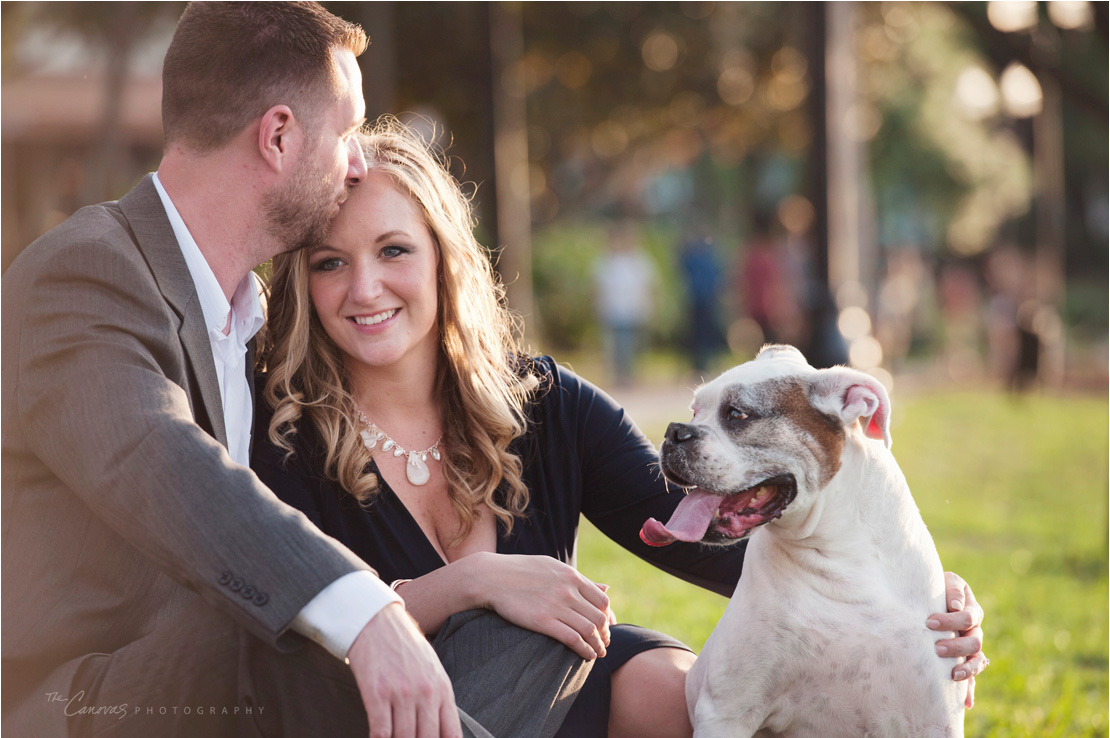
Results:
338 614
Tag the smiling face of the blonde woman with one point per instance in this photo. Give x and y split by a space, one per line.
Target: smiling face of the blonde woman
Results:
374 281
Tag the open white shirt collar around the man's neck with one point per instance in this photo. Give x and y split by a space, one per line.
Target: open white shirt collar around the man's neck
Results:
246 306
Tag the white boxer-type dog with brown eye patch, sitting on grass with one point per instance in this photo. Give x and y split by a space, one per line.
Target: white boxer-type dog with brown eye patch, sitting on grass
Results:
825 636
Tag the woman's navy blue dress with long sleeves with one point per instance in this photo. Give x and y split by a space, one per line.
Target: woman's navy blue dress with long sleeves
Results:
582 456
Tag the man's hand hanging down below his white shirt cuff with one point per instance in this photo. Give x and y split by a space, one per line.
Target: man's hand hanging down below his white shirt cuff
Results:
405 689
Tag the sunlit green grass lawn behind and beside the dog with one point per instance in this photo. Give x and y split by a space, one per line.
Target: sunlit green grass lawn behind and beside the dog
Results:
1015 491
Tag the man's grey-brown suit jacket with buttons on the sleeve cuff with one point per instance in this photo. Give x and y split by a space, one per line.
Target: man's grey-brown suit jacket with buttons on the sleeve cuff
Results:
120 502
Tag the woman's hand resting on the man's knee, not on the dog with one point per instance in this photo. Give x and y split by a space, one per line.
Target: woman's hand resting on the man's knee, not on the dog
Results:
542 594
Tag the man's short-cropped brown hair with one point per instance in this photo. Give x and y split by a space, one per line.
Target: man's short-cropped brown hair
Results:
230 63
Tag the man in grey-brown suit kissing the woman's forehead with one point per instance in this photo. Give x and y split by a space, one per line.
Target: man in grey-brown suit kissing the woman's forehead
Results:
153 585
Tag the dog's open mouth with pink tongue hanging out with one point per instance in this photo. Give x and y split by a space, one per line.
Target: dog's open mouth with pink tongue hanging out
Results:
714 518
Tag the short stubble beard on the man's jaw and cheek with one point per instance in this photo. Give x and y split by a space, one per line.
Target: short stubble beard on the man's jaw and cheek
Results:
299 214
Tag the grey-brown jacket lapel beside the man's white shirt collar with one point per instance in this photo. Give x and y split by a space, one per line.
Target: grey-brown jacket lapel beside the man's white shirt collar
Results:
155 237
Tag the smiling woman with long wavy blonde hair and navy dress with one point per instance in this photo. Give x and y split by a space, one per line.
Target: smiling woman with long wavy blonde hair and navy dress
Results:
403 422
